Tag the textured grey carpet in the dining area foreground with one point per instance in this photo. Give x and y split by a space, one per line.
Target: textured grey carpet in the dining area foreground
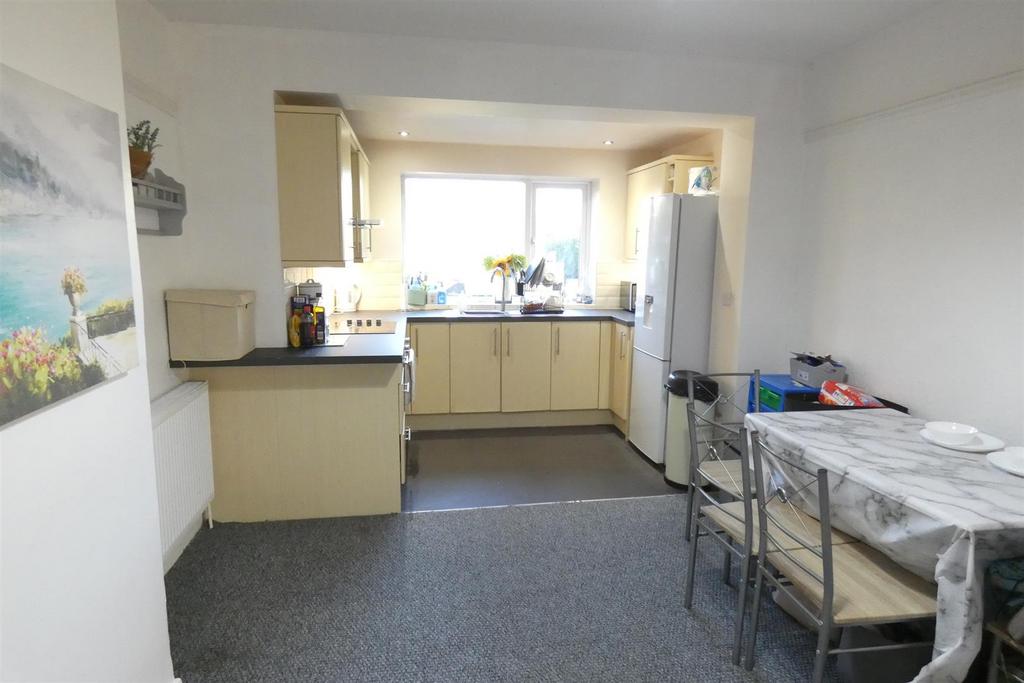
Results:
562 592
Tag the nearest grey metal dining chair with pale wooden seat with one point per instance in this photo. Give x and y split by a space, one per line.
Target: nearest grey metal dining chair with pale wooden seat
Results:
841 584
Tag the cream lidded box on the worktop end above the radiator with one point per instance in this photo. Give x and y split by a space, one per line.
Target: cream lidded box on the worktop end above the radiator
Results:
210 325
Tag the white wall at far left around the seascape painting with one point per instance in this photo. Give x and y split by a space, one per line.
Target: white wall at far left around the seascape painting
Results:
81 581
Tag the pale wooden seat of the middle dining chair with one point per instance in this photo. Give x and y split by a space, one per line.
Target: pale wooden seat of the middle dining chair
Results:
730 518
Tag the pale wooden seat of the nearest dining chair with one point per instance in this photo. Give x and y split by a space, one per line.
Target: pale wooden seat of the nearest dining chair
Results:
869 588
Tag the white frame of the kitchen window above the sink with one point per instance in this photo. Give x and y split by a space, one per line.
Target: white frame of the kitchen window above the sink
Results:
533 183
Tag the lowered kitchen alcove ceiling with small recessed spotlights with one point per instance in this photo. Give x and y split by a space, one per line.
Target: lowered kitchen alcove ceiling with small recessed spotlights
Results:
522 125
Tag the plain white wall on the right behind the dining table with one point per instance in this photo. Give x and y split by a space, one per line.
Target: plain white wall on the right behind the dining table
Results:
915 218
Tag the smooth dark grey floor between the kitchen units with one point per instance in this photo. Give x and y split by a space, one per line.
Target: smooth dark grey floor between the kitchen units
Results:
466 469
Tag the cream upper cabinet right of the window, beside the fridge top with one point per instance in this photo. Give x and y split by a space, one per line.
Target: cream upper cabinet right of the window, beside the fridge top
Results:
671 175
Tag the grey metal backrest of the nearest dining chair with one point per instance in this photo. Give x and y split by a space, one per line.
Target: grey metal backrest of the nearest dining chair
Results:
783 477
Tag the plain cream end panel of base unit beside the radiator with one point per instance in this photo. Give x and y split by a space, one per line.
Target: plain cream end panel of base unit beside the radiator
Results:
305 442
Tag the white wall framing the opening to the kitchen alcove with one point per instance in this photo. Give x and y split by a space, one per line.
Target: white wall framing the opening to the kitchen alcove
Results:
227 125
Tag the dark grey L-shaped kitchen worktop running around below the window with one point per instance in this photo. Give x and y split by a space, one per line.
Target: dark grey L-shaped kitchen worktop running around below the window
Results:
389 349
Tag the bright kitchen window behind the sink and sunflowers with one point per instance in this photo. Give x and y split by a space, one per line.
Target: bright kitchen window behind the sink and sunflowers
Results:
453 223
